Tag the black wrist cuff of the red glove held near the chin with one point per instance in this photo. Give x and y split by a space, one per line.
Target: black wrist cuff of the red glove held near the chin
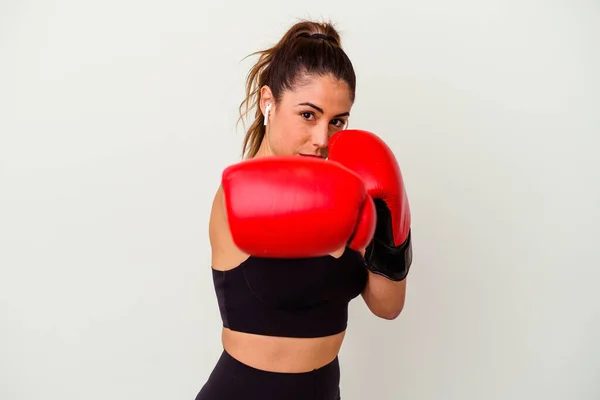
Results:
382 257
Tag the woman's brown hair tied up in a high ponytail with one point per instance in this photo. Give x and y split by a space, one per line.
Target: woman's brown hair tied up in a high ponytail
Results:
307 48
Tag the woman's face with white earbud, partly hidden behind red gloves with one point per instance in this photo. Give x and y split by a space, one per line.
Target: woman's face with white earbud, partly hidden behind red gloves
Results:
302 122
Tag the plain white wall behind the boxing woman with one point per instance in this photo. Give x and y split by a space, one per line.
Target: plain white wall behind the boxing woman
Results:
117 118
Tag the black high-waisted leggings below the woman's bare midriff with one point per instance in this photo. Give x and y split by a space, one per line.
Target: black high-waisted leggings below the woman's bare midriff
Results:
233 380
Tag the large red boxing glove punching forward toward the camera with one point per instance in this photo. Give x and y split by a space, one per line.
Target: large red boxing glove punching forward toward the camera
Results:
296 207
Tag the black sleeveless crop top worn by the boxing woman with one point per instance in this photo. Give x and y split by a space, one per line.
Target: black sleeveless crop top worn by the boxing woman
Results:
301 297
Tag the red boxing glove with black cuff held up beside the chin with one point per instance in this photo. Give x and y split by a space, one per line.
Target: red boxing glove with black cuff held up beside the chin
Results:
390 252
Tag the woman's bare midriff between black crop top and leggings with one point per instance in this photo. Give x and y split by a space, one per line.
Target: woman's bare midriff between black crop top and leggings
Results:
282 354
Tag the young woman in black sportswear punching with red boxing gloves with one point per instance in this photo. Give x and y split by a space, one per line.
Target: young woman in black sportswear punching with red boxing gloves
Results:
314 217
